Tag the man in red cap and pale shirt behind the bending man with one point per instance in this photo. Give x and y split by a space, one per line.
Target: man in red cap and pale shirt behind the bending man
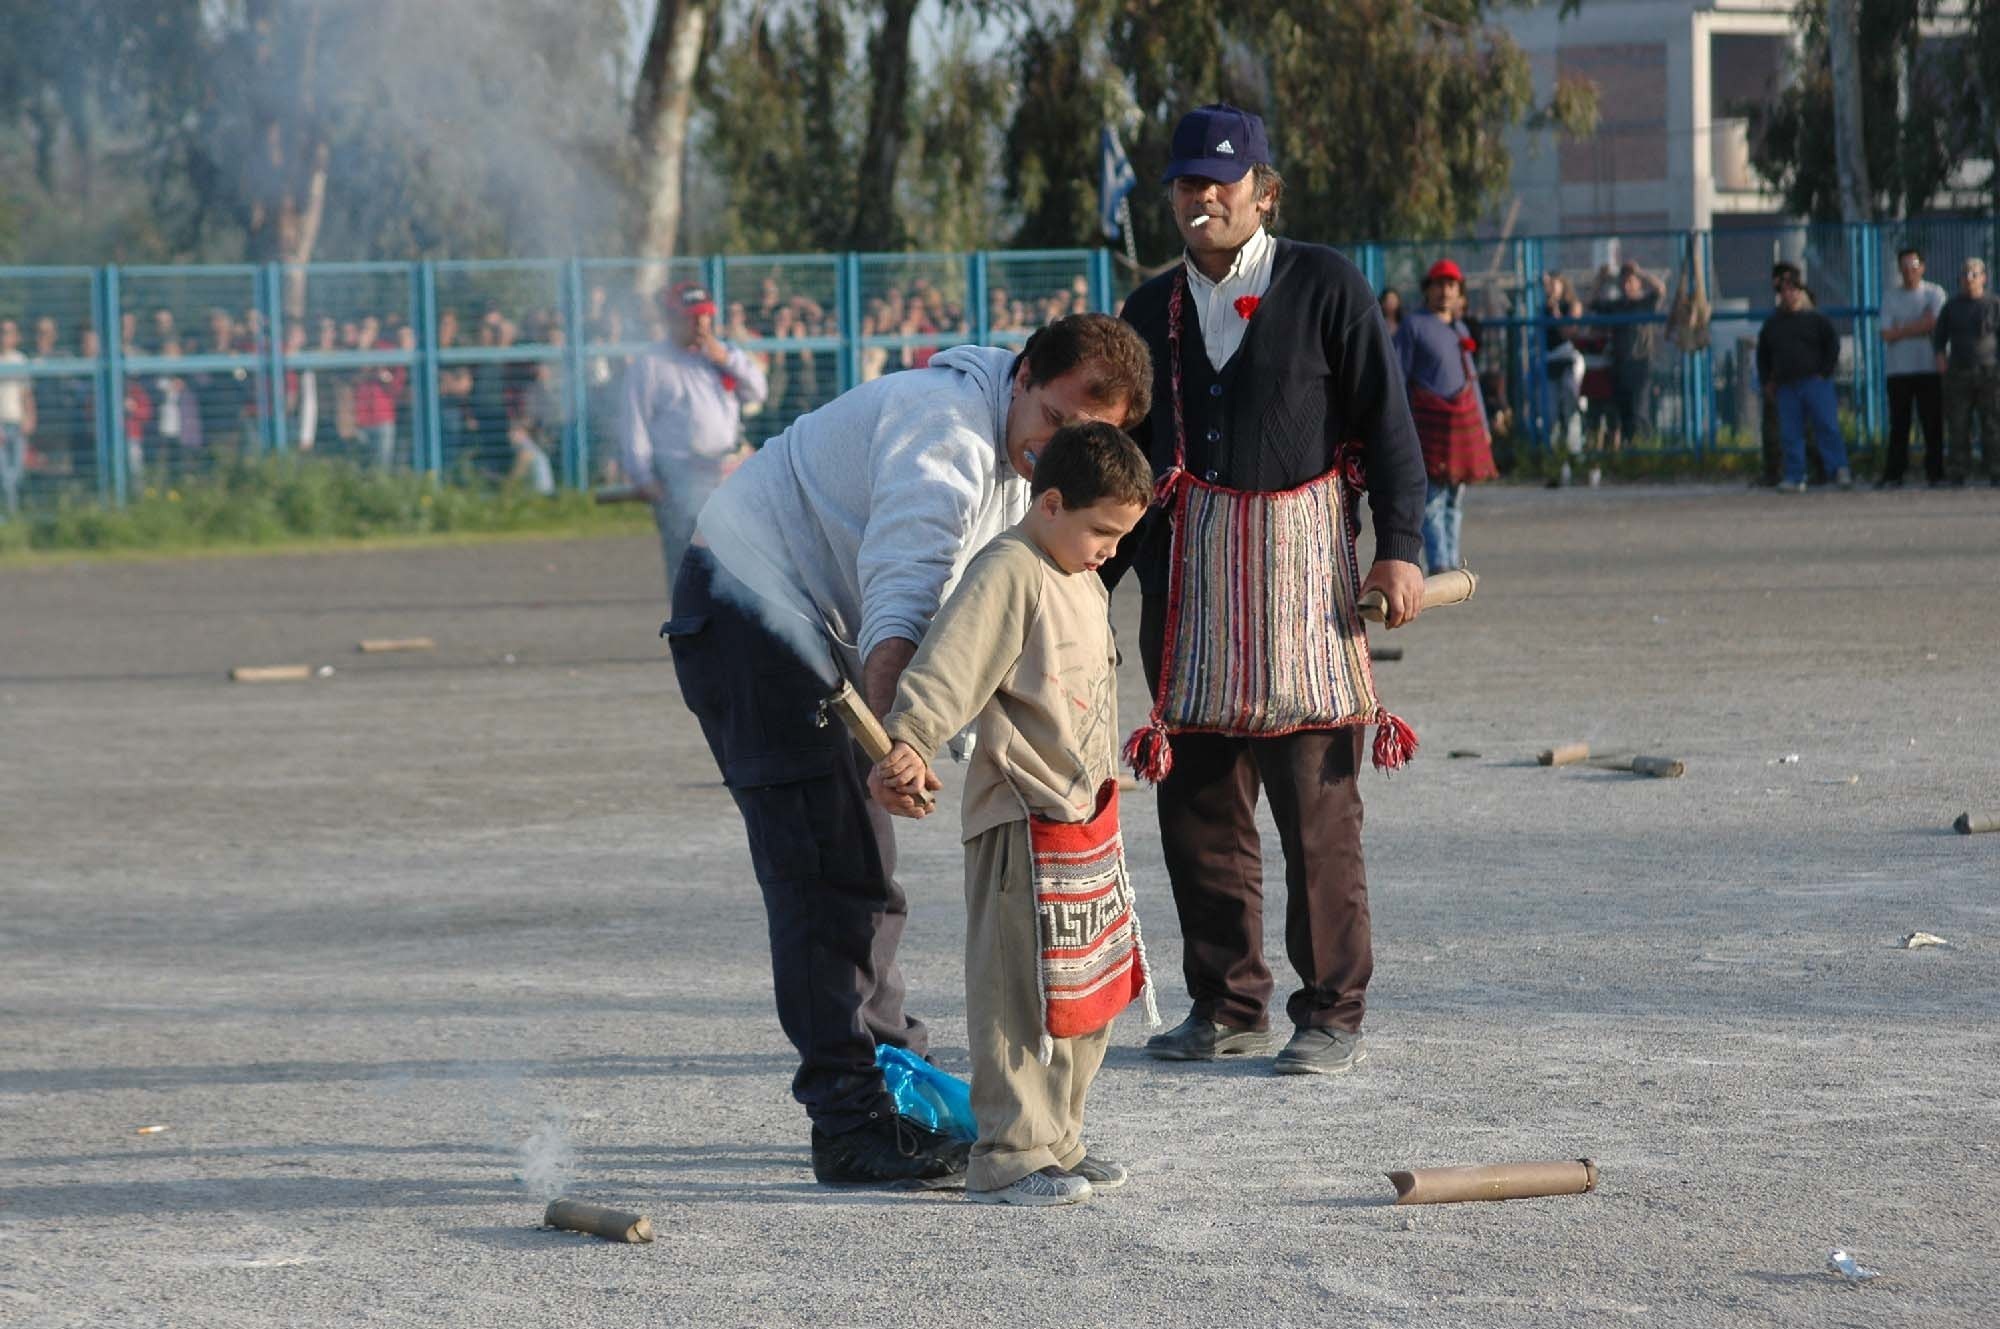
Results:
683 419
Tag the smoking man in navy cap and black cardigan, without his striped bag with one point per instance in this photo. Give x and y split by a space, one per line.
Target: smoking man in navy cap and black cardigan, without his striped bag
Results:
1283 359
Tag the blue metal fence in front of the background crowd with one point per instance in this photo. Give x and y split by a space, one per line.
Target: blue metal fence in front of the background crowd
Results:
467 367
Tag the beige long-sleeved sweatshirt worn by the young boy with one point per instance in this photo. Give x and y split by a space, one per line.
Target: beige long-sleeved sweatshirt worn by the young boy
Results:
1029 649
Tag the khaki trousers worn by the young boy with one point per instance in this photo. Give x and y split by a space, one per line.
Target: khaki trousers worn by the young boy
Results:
1031 1116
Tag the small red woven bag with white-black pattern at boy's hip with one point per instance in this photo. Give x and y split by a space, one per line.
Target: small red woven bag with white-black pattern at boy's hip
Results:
1093 964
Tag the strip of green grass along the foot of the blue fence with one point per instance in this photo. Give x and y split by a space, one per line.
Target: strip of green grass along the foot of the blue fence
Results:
291 501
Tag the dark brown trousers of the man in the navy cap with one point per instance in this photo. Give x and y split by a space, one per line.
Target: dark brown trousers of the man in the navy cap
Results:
1215 864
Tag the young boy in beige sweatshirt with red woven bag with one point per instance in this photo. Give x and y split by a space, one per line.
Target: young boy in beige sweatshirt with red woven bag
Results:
1053 946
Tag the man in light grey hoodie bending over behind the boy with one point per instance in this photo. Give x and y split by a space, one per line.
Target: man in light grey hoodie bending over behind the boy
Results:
827 555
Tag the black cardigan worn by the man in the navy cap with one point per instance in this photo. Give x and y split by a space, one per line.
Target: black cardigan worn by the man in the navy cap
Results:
1315 369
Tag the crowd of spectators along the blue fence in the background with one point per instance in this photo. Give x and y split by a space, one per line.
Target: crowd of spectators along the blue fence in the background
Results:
505 417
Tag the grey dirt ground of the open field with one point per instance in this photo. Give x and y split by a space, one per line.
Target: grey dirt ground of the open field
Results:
365 946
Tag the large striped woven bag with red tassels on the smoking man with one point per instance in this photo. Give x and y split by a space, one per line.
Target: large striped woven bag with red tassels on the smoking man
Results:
1263 629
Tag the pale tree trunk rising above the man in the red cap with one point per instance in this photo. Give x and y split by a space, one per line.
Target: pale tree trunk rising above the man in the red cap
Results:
661 109
